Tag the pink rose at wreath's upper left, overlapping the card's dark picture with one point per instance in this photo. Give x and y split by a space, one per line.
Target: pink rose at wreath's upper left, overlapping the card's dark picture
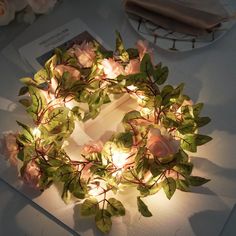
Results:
85 53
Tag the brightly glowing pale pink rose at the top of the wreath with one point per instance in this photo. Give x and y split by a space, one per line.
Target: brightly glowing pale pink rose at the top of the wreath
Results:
112 68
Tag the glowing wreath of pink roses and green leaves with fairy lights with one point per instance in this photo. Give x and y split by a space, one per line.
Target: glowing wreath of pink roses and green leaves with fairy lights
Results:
149 154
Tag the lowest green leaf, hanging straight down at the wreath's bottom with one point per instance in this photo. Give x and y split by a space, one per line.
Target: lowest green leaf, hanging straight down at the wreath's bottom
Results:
103 220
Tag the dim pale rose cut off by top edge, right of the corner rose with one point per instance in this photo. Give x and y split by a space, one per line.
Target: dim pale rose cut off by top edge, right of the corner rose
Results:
41 6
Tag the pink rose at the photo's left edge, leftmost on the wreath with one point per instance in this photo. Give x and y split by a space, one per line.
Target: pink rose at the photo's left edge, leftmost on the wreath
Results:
9 147
